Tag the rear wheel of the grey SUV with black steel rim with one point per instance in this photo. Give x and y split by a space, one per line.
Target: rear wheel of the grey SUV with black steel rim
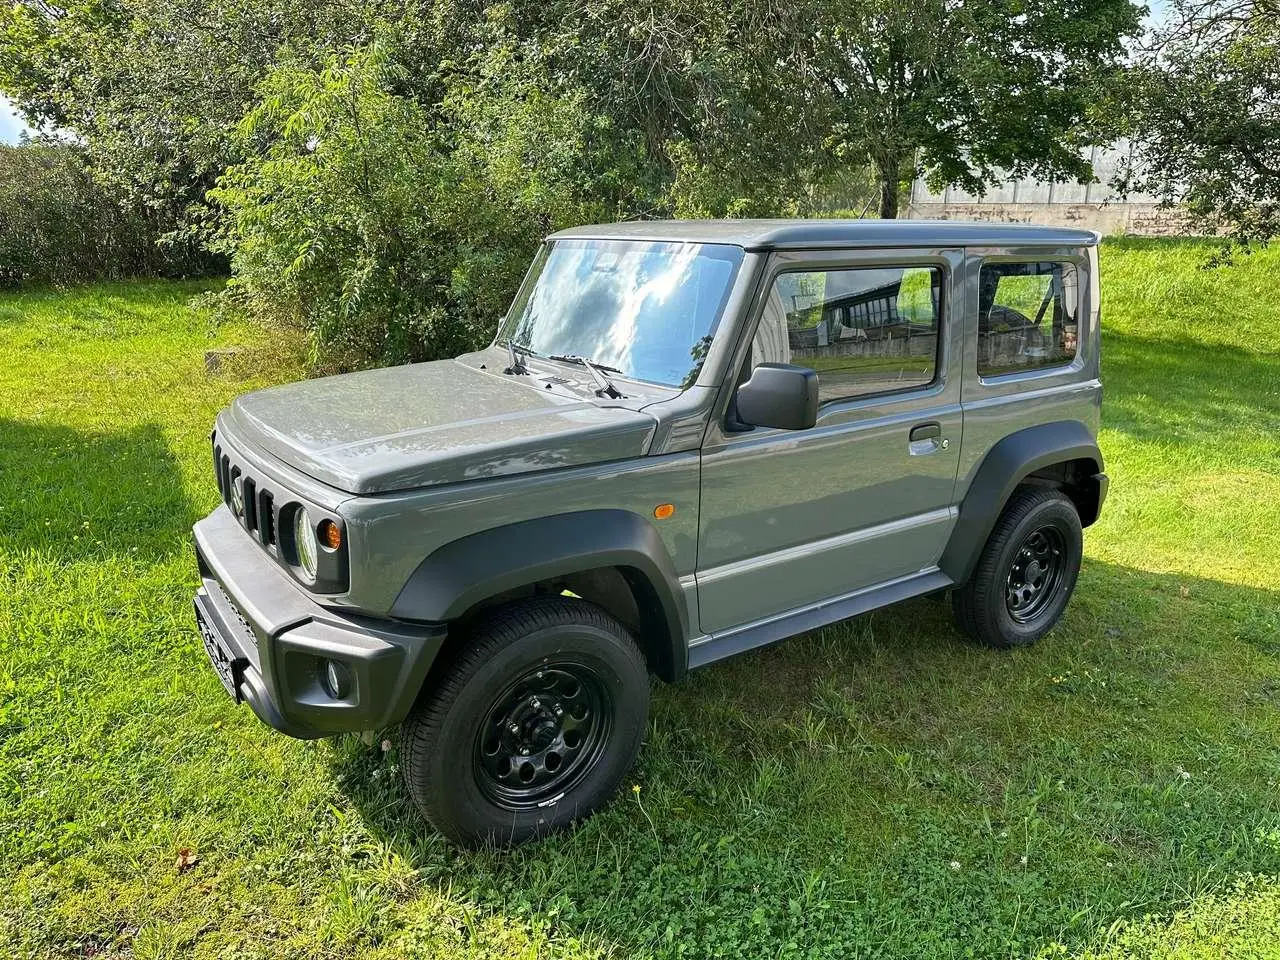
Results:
1026 574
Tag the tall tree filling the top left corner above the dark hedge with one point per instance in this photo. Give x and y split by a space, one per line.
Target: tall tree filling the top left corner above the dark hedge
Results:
156 88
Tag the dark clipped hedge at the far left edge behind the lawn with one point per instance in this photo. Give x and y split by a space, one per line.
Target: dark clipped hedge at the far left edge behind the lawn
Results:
58 225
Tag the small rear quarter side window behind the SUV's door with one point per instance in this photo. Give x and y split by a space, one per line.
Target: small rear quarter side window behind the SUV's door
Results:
1027 317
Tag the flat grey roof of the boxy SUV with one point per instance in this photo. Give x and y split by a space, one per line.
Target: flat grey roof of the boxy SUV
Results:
772 235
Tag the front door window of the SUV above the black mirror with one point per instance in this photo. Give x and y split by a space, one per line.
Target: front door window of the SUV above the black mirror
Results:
865 331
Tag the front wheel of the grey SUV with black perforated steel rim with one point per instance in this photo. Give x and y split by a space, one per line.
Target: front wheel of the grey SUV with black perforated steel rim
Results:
556 678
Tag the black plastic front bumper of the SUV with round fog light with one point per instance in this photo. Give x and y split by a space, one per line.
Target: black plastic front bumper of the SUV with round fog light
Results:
271 642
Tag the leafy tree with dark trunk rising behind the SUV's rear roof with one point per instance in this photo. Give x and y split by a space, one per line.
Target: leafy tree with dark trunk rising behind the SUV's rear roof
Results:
961 90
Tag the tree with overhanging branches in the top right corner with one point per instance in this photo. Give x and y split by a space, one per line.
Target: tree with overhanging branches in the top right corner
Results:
1203 109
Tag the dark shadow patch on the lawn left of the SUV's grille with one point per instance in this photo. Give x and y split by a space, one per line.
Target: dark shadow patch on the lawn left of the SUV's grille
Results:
75 496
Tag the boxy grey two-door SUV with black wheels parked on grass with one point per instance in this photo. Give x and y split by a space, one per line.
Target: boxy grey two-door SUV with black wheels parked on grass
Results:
688 440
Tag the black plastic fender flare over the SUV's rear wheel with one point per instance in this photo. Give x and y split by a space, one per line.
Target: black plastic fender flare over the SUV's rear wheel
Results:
1008 464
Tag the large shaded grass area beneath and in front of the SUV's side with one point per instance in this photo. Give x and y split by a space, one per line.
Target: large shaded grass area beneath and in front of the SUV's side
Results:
884 788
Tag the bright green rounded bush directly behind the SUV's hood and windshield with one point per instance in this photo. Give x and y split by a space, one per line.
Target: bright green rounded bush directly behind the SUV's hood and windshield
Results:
392 230
